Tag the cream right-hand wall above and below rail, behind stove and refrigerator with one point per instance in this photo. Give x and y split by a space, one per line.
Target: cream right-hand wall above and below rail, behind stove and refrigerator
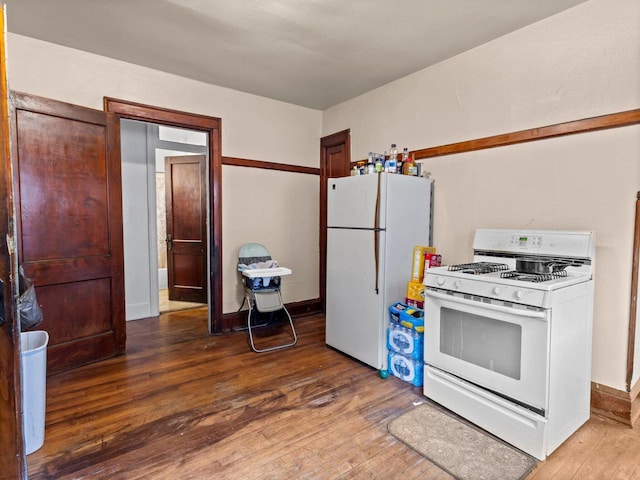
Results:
580 63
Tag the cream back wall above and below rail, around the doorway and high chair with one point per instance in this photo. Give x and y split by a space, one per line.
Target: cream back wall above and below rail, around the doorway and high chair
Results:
252 127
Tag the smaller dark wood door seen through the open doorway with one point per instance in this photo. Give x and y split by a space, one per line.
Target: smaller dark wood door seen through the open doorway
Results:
186 201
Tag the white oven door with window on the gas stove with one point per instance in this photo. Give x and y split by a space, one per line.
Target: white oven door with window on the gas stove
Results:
498 346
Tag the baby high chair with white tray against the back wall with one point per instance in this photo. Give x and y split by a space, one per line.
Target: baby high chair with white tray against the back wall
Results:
261 280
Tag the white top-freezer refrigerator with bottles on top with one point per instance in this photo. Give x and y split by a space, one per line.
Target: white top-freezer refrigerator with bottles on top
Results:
373 223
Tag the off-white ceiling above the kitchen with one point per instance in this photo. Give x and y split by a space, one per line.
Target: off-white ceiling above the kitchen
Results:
314 53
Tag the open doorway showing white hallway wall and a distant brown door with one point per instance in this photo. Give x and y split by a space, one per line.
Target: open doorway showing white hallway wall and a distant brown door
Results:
161 272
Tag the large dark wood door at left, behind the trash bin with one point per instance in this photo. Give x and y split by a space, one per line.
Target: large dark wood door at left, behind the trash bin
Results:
66 162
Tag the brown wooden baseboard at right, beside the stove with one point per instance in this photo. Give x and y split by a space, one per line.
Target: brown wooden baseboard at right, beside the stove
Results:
616 404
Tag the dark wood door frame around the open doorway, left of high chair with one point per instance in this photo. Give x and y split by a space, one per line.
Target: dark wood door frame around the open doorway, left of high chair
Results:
212 126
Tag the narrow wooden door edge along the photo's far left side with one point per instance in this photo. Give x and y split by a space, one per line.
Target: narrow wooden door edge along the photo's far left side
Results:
12 452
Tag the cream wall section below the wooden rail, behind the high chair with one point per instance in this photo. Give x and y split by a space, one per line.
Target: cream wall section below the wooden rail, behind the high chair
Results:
267 210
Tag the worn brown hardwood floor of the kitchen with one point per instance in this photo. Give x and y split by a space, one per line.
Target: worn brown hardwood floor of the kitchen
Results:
185 405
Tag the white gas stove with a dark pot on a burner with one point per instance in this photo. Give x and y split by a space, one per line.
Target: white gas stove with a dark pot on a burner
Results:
508 336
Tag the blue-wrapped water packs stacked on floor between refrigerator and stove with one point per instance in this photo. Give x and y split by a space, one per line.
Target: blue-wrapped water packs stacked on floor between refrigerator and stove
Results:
405 341
